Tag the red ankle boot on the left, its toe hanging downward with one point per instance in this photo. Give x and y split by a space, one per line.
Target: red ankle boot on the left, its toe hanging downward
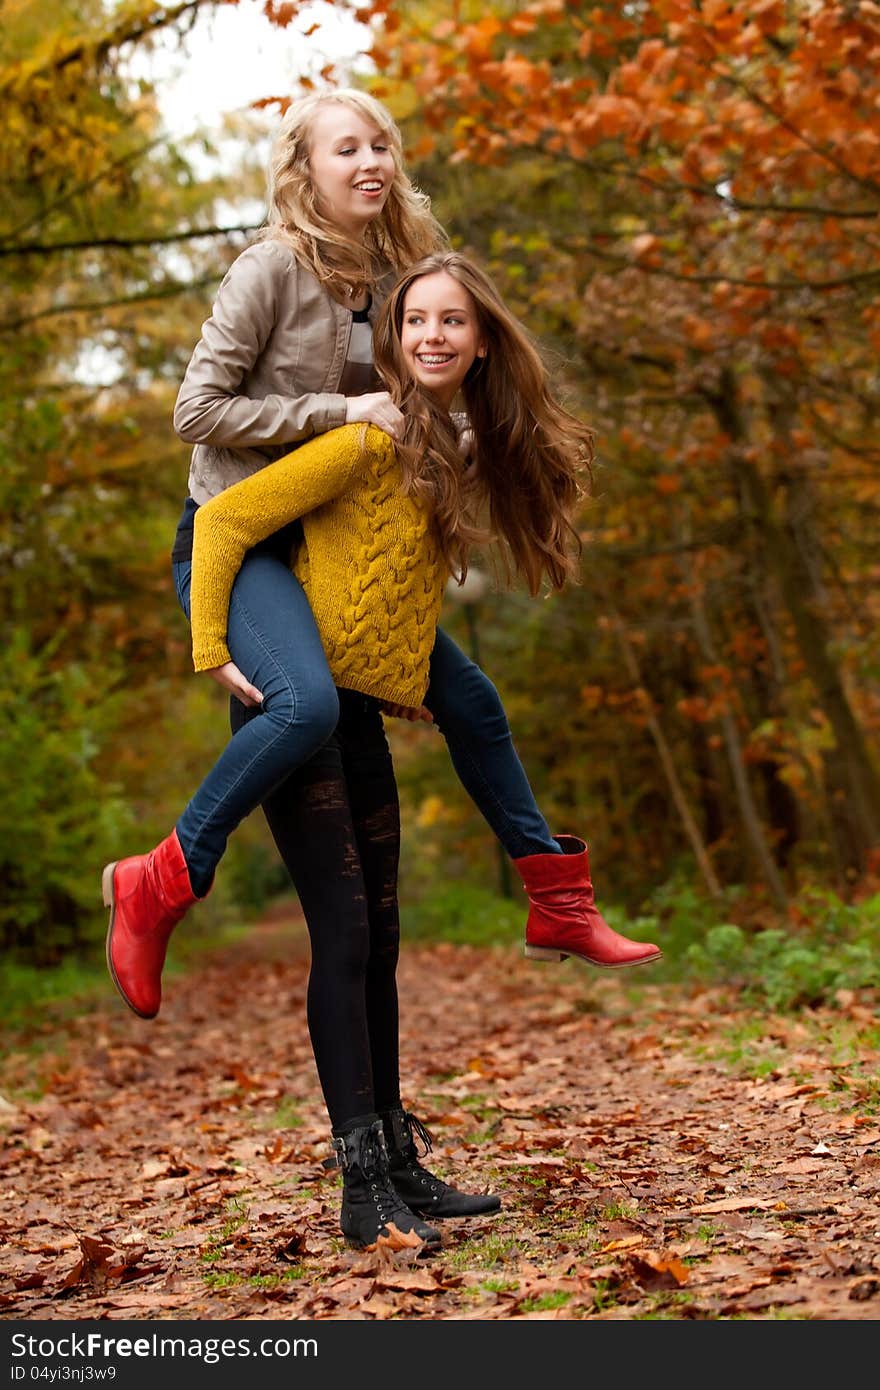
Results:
148 896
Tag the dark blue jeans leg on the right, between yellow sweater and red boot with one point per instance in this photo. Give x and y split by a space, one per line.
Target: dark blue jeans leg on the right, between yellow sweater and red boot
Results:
471 717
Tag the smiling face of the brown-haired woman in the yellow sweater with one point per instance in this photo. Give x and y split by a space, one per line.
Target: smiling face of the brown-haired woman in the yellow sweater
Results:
440 334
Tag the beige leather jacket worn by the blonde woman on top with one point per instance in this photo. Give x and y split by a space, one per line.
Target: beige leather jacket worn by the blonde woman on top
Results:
265 375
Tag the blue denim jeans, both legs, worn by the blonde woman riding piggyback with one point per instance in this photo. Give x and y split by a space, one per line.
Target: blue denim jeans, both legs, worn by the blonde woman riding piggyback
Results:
273 640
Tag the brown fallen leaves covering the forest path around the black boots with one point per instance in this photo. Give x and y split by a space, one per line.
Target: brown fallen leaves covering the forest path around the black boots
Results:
636 1178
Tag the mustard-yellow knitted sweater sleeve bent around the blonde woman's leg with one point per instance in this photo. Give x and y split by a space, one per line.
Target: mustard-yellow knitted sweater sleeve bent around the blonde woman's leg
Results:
251 511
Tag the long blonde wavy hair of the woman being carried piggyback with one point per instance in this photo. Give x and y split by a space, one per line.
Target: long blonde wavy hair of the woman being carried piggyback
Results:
405 230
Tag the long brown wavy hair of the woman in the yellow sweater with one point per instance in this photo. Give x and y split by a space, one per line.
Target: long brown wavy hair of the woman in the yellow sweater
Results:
532 458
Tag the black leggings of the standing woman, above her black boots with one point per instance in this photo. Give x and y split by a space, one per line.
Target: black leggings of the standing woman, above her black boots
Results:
337 825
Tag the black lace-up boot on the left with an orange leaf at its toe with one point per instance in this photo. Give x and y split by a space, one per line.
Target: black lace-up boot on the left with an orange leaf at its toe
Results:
373 1213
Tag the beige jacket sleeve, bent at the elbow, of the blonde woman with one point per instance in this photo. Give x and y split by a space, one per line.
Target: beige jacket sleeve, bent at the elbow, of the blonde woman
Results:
211 408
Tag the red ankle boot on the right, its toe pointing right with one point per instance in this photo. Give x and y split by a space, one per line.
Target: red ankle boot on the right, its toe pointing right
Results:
564 918
